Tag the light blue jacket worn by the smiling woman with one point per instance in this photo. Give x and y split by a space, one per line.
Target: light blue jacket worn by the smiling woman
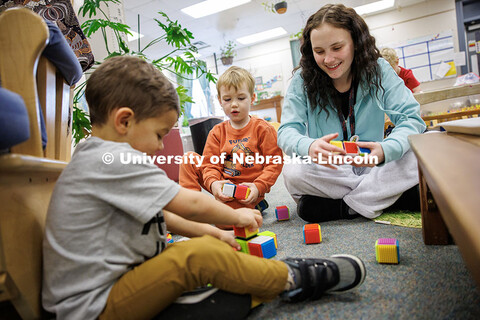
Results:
301 126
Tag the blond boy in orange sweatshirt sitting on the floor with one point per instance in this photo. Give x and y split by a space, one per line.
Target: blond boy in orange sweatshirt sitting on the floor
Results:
242 135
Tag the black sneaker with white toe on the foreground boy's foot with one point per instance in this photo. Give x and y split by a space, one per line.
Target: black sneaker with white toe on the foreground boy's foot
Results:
338 273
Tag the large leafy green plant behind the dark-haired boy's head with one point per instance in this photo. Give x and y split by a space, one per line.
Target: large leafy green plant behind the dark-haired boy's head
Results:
180 60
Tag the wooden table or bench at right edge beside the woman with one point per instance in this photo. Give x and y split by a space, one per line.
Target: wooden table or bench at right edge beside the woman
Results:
449 172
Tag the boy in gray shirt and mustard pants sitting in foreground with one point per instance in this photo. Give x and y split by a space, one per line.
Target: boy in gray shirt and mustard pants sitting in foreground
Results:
105 253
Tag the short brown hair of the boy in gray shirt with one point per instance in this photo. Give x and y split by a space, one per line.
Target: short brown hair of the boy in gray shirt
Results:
129 81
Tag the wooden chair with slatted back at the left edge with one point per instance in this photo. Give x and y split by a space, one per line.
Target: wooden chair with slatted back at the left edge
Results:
29 173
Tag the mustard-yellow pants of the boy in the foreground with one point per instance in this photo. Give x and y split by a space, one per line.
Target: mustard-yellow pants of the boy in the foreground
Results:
183 266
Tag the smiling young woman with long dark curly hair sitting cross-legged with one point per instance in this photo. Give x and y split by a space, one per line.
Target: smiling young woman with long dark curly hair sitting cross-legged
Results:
343 88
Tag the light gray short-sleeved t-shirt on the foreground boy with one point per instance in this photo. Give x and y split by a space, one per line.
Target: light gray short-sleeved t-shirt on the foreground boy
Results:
103 220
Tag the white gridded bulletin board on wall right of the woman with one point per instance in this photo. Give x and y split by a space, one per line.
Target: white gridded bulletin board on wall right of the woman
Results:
430 57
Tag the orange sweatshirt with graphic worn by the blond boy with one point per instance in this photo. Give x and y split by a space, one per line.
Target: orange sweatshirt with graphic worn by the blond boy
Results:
259 138
